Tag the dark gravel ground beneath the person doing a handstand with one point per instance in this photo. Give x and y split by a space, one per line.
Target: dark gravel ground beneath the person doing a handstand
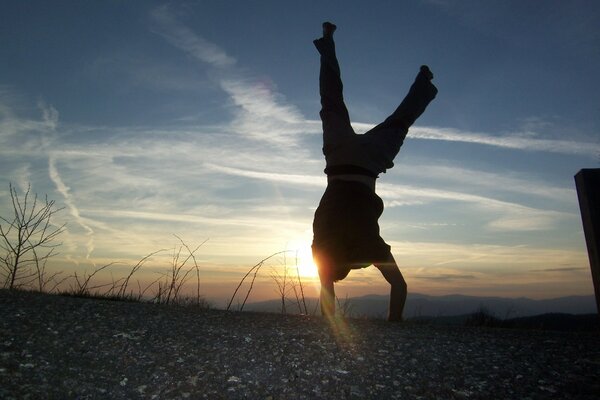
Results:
61 348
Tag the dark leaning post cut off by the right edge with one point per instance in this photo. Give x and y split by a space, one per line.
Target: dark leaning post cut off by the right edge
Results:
588 191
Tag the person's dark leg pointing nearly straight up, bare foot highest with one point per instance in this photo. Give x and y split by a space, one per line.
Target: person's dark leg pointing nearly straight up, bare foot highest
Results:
334 113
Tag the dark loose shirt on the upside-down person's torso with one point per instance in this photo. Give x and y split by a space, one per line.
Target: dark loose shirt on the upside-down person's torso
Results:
346 229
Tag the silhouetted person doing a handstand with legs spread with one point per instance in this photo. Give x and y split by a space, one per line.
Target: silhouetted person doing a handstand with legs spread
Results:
346 229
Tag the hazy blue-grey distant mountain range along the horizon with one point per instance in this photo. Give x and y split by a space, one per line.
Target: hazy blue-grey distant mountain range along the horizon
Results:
421 306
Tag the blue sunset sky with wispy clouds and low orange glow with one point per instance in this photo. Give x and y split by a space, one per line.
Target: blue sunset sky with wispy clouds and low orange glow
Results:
153 120
